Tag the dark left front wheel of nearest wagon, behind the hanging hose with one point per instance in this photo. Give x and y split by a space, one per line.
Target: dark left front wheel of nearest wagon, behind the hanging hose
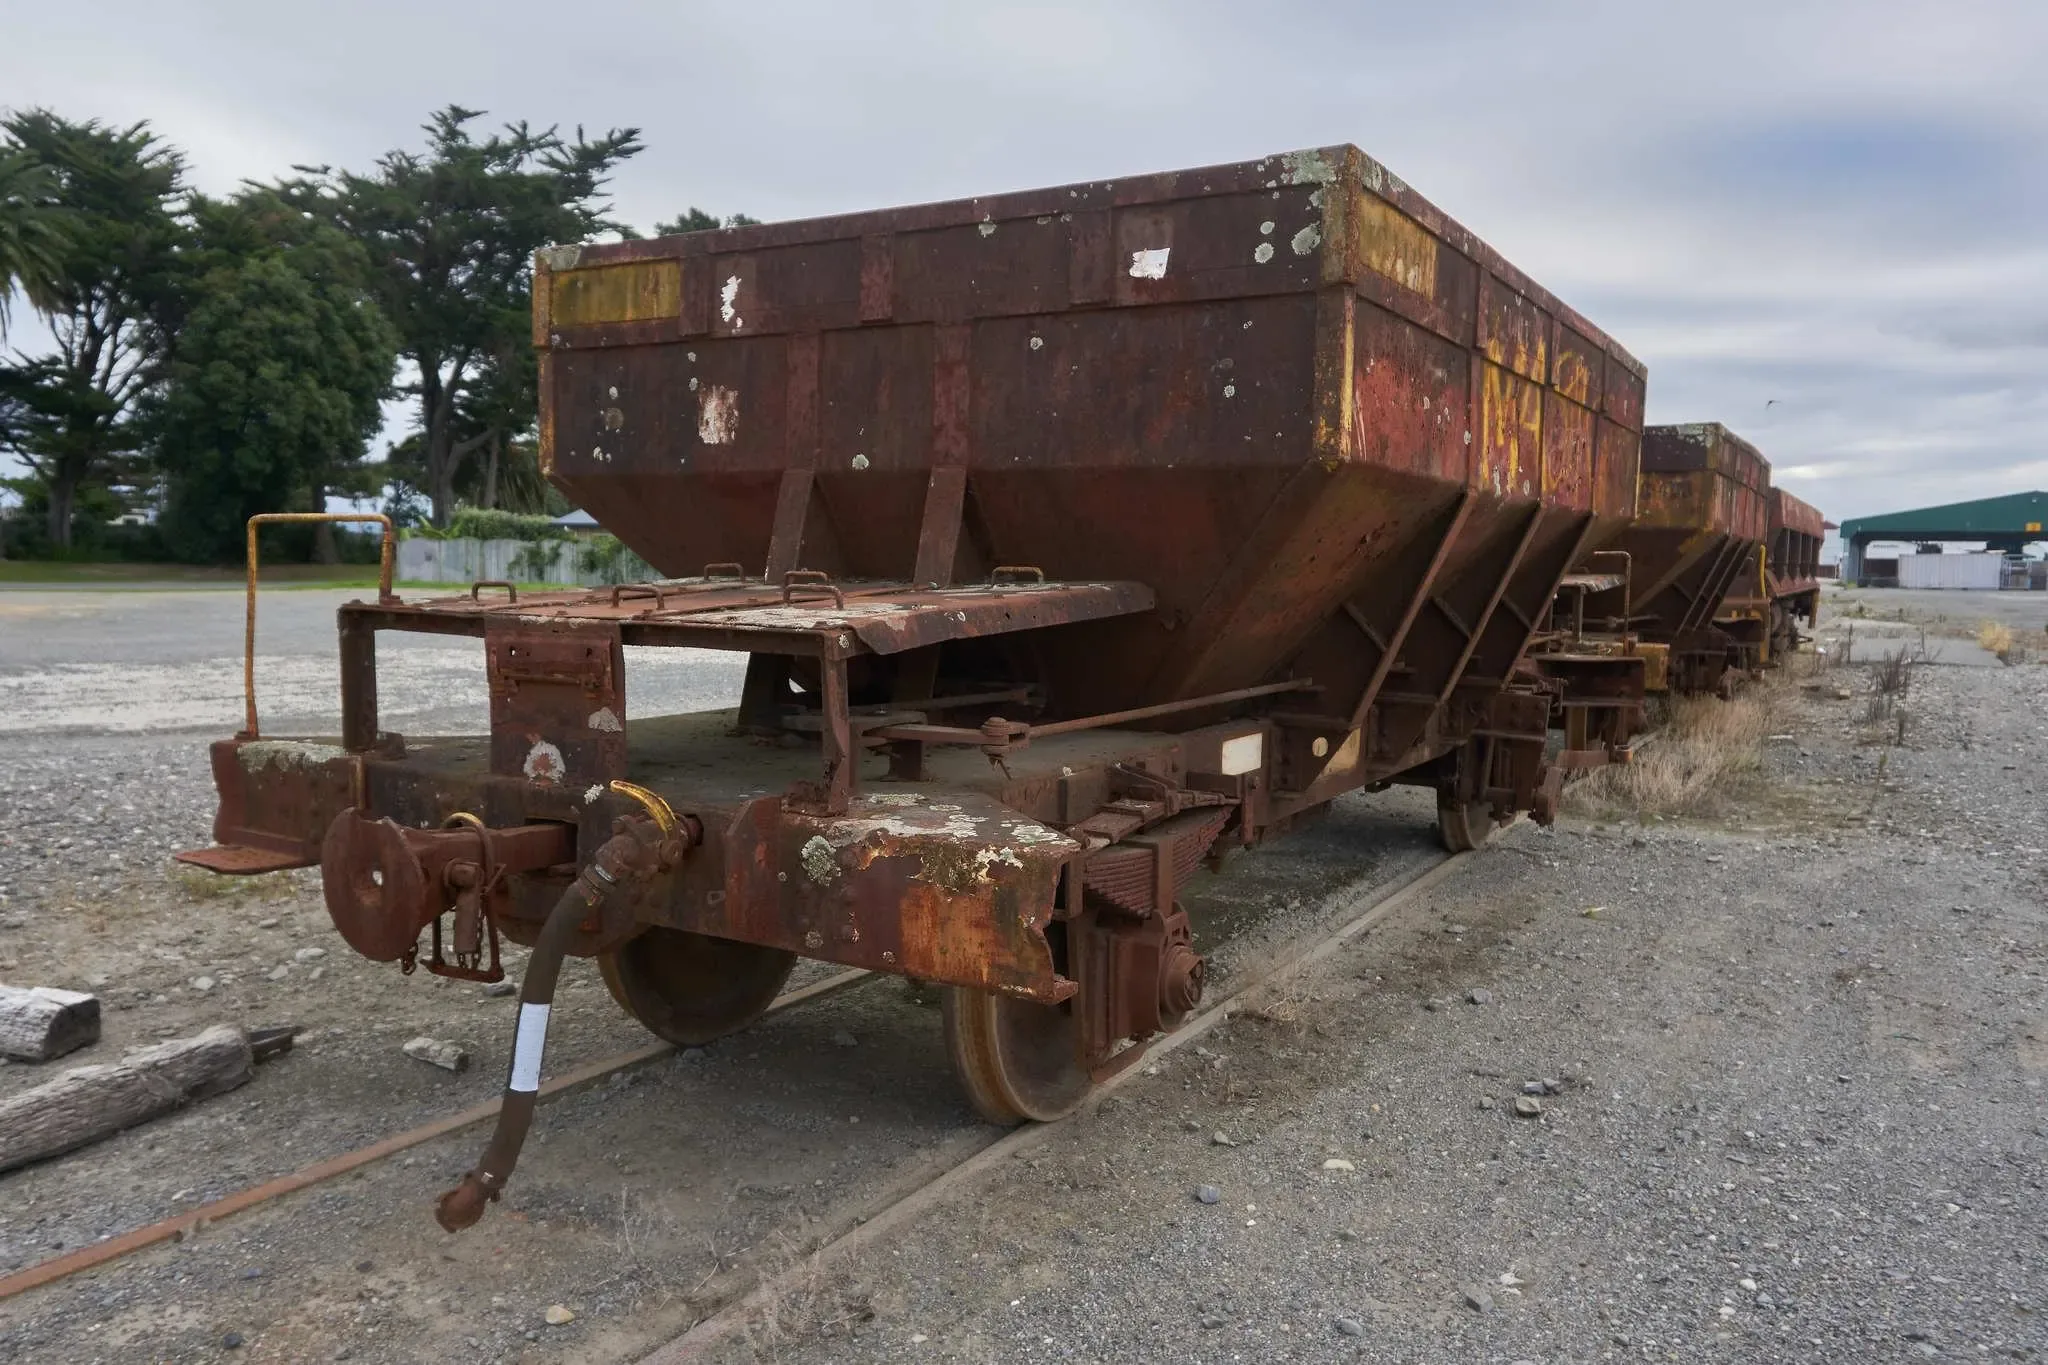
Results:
691 987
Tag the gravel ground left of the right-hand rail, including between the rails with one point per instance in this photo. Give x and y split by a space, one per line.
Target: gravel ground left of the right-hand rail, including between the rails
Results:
634 1202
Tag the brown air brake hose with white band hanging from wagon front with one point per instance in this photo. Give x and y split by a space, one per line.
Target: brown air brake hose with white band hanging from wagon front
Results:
624 858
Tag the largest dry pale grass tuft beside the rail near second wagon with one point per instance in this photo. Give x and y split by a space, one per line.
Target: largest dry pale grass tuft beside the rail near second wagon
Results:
1705 752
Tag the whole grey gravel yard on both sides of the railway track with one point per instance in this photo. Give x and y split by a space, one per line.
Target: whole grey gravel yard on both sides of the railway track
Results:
1797 1047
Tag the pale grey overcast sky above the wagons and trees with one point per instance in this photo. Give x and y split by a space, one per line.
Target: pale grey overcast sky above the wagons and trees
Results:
1822 224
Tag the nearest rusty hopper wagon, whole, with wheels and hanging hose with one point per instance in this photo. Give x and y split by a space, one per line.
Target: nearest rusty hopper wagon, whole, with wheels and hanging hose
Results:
1072 537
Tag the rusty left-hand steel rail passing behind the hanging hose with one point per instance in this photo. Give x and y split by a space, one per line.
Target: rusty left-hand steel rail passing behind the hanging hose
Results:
185 1225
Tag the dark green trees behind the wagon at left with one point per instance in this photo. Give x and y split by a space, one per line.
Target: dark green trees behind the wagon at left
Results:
228 357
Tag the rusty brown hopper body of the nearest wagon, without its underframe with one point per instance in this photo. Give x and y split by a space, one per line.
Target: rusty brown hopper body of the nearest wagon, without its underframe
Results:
1252 388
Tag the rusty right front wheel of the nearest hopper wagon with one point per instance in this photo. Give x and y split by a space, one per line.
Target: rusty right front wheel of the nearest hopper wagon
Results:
1017 1059
